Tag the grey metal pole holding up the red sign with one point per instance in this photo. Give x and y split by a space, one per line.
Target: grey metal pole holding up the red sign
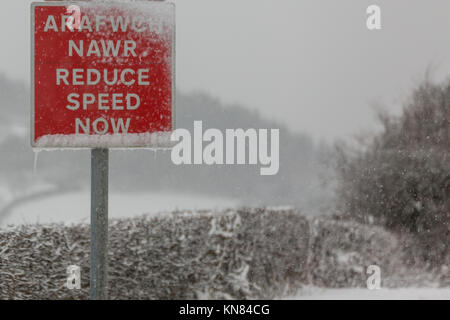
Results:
99 223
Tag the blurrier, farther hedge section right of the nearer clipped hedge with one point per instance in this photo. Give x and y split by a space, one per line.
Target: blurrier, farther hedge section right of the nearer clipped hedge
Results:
342 251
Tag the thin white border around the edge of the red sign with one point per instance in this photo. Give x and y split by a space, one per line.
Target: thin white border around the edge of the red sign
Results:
156 145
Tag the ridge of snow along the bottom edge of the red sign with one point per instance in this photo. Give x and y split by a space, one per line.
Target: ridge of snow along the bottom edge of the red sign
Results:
139 140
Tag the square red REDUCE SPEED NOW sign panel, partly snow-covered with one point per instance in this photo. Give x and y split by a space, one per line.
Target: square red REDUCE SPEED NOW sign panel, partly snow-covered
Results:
102 74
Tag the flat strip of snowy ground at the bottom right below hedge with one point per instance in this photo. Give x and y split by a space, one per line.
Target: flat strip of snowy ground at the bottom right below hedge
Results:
314 293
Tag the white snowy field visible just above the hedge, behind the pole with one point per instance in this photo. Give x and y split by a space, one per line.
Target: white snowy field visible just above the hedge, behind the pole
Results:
74 207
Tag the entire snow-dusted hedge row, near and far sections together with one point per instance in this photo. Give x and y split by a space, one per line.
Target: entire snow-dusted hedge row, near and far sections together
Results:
240 254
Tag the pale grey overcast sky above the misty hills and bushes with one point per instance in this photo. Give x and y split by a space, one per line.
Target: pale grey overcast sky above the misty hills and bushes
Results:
310 64
